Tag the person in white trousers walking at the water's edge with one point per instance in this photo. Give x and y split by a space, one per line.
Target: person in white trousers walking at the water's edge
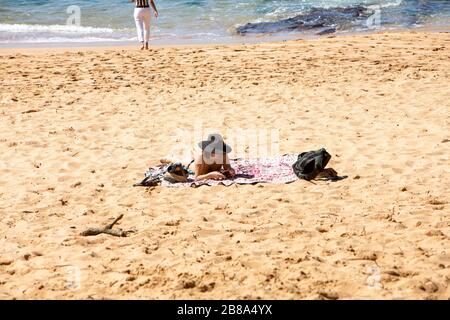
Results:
142 14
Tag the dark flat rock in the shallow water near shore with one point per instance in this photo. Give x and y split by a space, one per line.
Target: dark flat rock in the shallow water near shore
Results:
327 19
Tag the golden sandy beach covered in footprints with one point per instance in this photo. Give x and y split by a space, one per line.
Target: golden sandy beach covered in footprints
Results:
80 126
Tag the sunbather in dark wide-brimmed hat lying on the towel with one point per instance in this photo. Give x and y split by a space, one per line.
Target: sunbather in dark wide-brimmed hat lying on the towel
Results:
213 162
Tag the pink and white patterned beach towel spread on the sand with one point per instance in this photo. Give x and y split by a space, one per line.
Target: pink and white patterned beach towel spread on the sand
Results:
276 170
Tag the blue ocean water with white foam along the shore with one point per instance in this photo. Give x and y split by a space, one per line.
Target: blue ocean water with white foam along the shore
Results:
184 21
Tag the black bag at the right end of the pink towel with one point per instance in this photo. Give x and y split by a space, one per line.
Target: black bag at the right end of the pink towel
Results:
310 164
